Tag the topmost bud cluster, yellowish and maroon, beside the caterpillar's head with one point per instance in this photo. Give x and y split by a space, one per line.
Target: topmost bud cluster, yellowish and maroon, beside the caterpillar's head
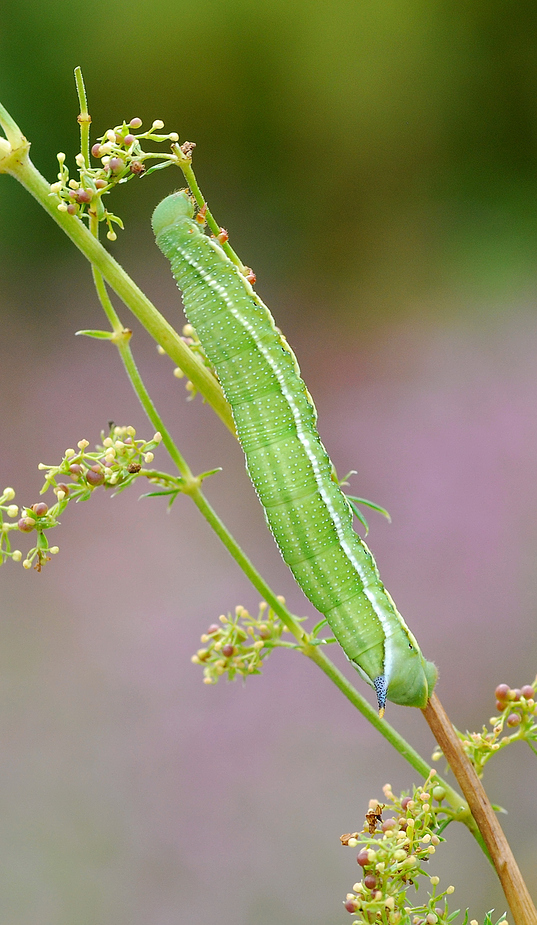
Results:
121 158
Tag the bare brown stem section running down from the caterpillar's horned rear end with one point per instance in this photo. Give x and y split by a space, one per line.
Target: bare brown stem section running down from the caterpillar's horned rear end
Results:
516 891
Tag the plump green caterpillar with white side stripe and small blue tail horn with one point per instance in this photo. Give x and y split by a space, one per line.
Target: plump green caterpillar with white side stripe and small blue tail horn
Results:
275 419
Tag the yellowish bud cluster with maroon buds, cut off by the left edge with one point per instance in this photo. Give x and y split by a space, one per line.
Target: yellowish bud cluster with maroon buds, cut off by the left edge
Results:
116 463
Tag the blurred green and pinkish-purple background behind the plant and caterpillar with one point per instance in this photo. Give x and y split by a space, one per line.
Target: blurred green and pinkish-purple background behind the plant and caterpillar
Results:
375 164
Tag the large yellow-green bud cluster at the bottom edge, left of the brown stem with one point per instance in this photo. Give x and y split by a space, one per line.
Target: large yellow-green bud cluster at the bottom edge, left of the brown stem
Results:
393 850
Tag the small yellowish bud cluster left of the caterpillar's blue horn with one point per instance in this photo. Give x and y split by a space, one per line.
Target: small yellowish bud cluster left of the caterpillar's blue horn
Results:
237 645
